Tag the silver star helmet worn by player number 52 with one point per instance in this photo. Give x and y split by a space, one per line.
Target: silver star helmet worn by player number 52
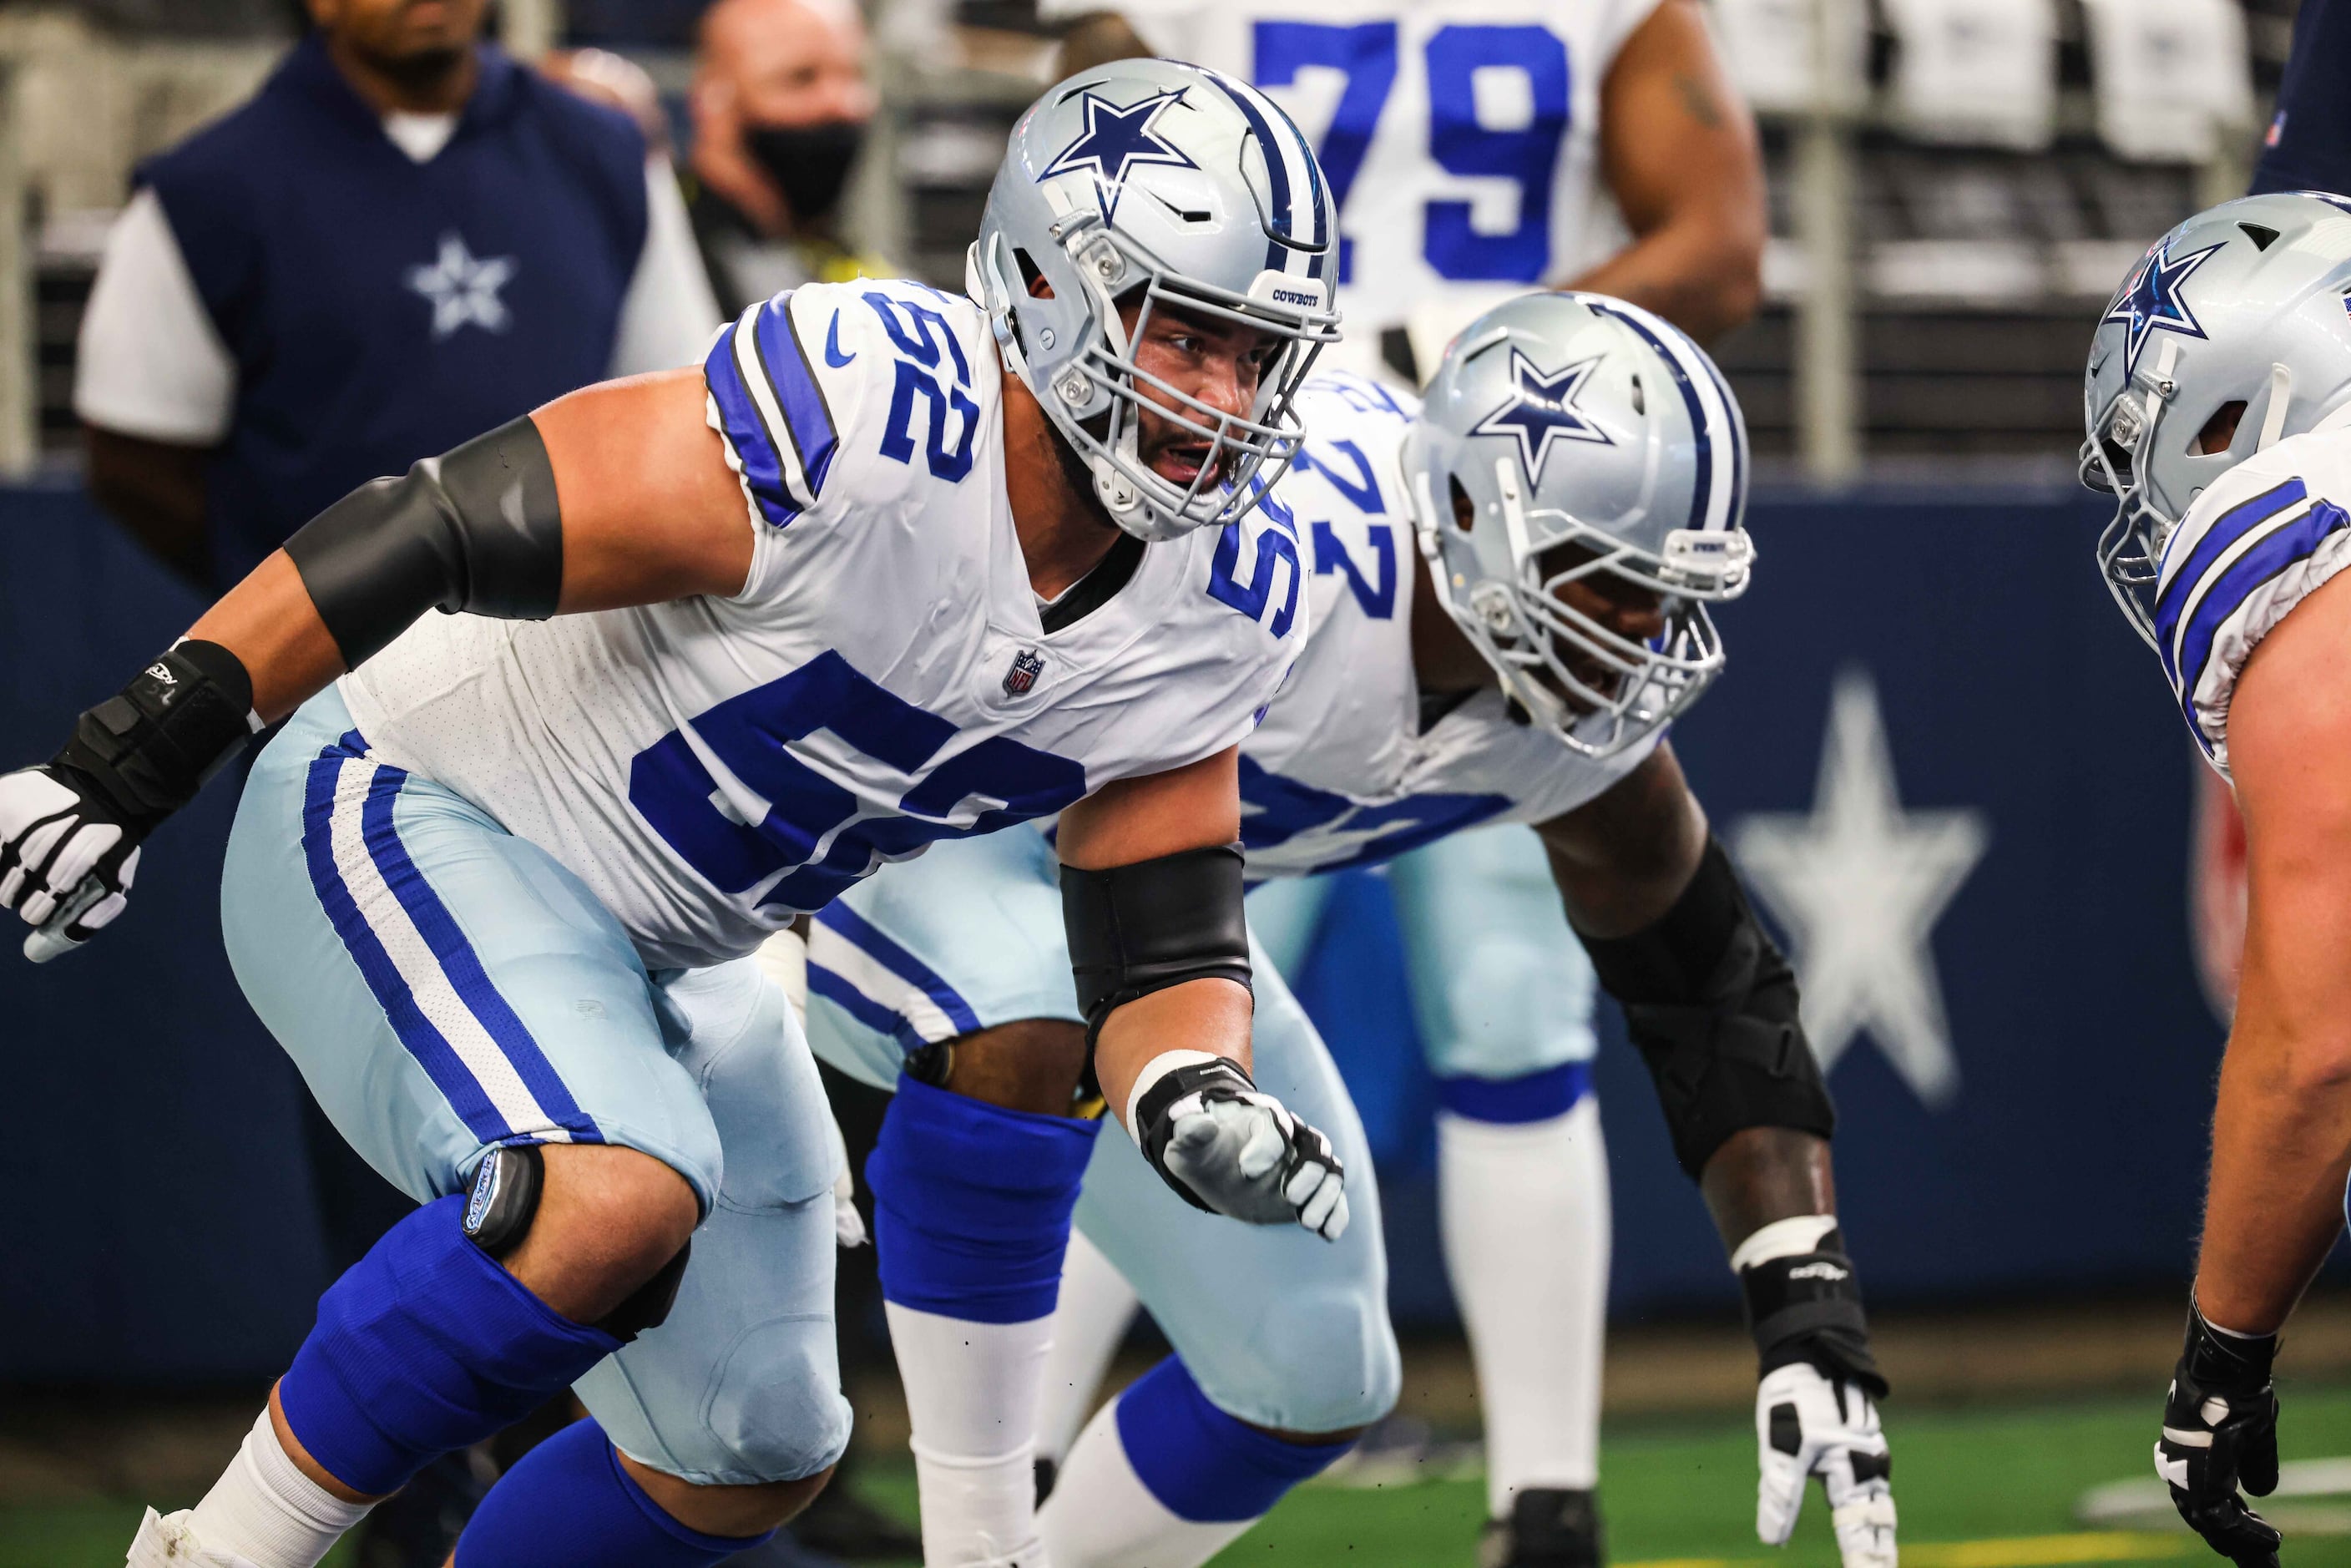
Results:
1165 187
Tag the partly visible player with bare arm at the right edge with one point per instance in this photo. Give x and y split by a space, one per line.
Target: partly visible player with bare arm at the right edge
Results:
2218 413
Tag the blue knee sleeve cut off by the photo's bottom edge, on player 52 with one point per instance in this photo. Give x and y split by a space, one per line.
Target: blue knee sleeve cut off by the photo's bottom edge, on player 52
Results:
572 1503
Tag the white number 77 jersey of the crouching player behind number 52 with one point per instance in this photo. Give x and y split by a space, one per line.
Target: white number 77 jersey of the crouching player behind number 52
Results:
1344 772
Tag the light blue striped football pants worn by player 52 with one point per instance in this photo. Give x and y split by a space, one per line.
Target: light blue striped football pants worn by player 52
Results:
448 989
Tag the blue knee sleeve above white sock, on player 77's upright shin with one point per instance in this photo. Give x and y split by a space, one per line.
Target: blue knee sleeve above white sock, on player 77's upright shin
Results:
972 1205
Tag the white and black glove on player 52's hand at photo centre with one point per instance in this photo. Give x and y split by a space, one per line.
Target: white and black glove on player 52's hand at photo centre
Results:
1233 1151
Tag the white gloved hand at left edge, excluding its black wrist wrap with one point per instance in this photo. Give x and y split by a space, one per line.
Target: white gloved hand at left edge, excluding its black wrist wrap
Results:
62 859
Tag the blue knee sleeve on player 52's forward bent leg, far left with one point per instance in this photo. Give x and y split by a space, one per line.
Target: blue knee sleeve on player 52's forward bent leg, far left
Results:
422 1348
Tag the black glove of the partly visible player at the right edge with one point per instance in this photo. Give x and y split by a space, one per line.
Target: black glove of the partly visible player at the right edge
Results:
2221 1433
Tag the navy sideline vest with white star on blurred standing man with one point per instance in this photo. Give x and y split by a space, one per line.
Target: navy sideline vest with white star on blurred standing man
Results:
377 309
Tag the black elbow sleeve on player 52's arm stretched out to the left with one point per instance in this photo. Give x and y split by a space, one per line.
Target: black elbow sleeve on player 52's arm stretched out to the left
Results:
474 530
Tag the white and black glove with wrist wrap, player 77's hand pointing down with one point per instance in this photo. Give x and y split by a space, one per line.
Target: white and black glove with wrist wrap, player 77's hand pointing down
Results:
1816 1400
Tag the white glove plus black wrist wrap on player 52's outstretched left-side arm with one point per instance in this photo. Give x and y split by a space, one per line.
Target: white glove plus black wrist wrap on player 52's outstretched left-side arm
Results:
72 829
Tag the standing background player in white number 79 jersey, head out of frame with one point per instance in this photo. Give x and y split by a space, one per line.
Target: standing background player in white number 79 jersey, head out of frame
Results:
1482 149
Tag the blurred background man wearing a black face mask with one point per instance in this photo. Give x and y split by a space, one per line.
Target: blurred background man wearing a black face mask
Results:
779 105
